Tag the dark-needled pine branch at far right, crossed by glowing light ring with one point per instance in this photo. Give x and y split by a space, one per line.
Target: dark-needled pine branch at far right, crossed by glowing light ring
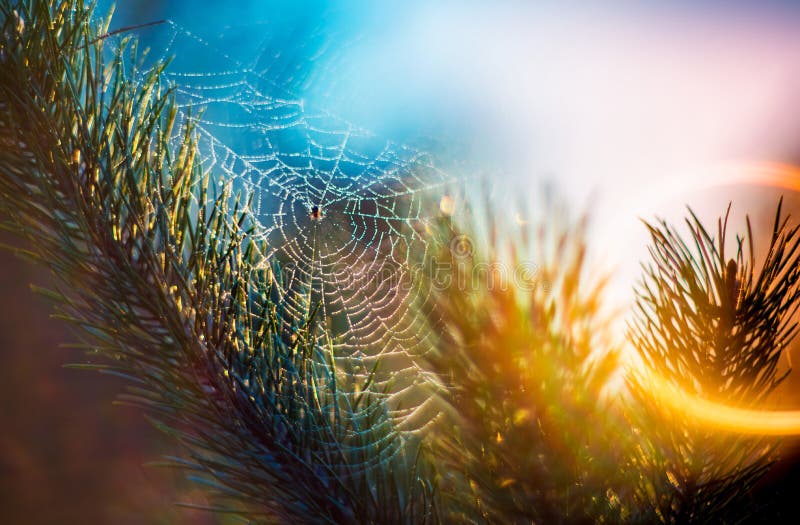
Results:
714 326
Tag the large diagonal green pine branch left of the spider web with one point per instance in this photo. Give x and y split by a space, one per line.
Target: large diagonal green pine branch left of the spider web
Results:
162 279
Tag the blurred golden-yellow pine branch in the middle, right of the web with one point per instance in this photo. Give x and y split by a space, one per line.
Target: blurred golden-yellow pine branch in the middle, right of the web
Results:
529 433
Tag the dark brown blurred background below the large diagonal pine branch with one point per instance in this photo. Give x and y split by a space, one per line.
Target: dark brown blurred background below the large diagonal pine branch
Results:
67 454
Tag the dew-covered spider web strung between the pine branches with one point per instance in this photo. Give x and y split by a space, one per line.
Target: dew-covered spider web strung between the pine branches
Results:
341 212
